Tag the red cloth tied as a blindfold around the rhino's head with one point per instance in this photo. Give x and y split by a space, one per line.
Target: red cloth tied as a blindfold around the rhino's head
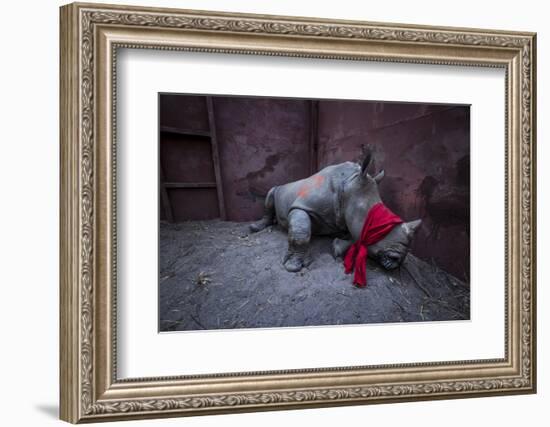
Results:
378 223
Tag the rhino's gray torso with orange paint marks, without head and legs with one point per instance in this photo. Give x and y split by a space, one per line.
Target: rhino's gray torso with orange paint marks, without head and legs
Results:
318 195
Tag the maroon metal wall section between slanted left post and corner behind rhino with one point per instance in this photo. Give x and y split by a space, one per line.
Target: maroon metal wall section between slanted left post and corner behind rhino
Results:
262 142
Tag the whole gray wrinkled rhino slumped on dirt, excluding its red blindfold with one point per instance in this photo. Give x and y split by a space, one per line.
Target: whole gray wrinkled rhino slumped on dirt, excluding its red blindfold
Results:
335 202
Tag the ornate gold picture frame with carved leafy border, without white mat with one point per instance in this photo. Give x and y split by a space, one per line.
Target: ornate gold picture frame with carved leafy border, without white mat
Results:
90 36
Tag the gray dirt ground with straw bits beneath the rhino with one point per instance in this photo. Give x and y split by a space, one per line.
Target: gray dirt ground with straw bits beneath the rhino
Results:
217 275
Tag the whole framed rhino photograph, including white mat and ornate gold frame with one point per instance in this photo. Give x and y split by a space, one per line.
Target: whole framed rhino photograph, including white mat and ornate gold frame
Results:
266 212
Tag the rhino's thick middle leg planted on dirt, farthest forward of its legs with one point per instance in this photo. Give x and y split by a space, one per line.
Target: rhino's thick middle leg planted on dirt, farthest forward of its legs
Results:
299 233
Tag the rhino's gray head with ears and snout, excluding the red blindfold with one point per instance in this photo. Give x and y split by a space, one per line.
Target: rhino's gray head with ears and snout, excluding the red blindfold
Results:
360 193
